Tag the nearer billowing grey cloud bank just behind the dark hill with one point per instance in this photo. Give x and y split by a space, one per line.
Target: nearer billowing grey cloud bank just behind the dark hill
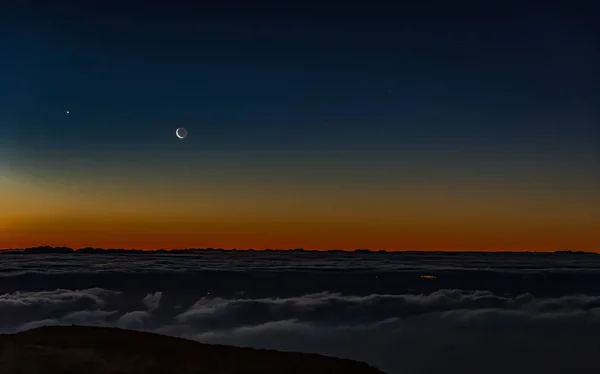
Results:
449 330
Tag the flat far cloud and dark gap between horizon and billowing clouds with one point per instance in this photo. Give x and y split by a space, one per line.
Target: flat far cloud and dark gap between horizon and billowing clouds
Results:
257 275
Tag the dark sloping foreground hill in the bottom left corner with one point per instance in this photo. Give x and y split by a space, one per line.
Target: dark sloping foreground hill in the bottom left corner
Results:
92 350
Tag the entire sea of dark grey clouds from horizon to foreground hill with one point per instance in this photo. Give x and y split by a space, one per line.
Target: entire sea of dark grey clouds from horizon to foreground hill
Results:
483 312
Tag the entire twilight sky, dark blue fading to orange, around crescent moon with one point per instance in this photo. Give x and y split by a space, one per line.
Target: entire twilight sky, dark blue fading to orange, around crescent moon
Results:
441 126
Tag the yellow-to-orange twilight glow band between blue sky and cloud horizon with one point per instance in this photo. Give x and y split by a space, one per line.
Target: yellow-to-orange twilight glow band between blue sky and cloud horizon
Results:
128 212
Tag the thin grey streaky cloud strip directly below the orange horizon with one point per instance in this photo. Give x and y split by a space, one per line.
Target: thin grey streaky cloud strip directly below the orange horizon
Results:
143 263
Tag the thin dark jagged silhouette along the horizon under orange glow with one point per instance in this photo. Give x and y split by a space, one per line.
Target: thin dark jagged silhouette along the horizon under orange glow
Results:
88 250
